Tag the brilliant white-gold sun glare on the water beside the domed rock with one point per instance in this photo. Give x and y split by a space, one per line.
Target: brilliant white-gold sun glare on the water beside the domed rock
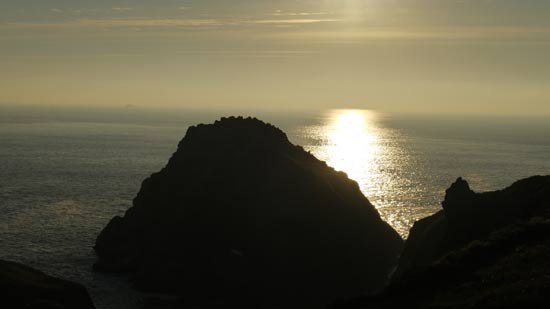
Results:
352 141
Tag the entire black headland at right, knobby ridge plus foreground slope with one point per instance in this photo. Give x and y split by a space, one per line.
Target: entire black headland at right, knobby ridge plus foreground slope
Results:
483 250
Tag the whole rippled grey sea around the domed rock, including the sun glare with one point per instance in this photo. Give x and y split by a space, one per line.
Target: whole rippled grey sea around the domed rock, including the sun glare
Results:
66 172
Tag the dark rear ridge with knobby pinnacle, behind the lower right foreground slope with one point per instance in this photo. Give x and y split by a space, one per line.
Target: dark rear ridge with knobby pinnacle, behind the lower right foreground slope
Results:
467 216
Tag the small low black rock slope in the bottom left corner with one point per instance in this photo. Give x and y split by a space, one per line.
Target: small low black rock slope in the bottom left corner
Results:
24 287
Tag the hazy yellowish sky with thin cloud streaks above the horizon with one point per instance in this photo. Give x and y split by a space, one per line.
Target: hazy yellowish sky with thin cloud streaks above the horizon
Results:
460 56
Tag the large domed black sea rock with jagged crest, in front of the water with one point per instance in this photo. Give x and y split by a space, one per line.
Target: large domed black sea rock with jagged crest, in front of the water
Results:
241 216
